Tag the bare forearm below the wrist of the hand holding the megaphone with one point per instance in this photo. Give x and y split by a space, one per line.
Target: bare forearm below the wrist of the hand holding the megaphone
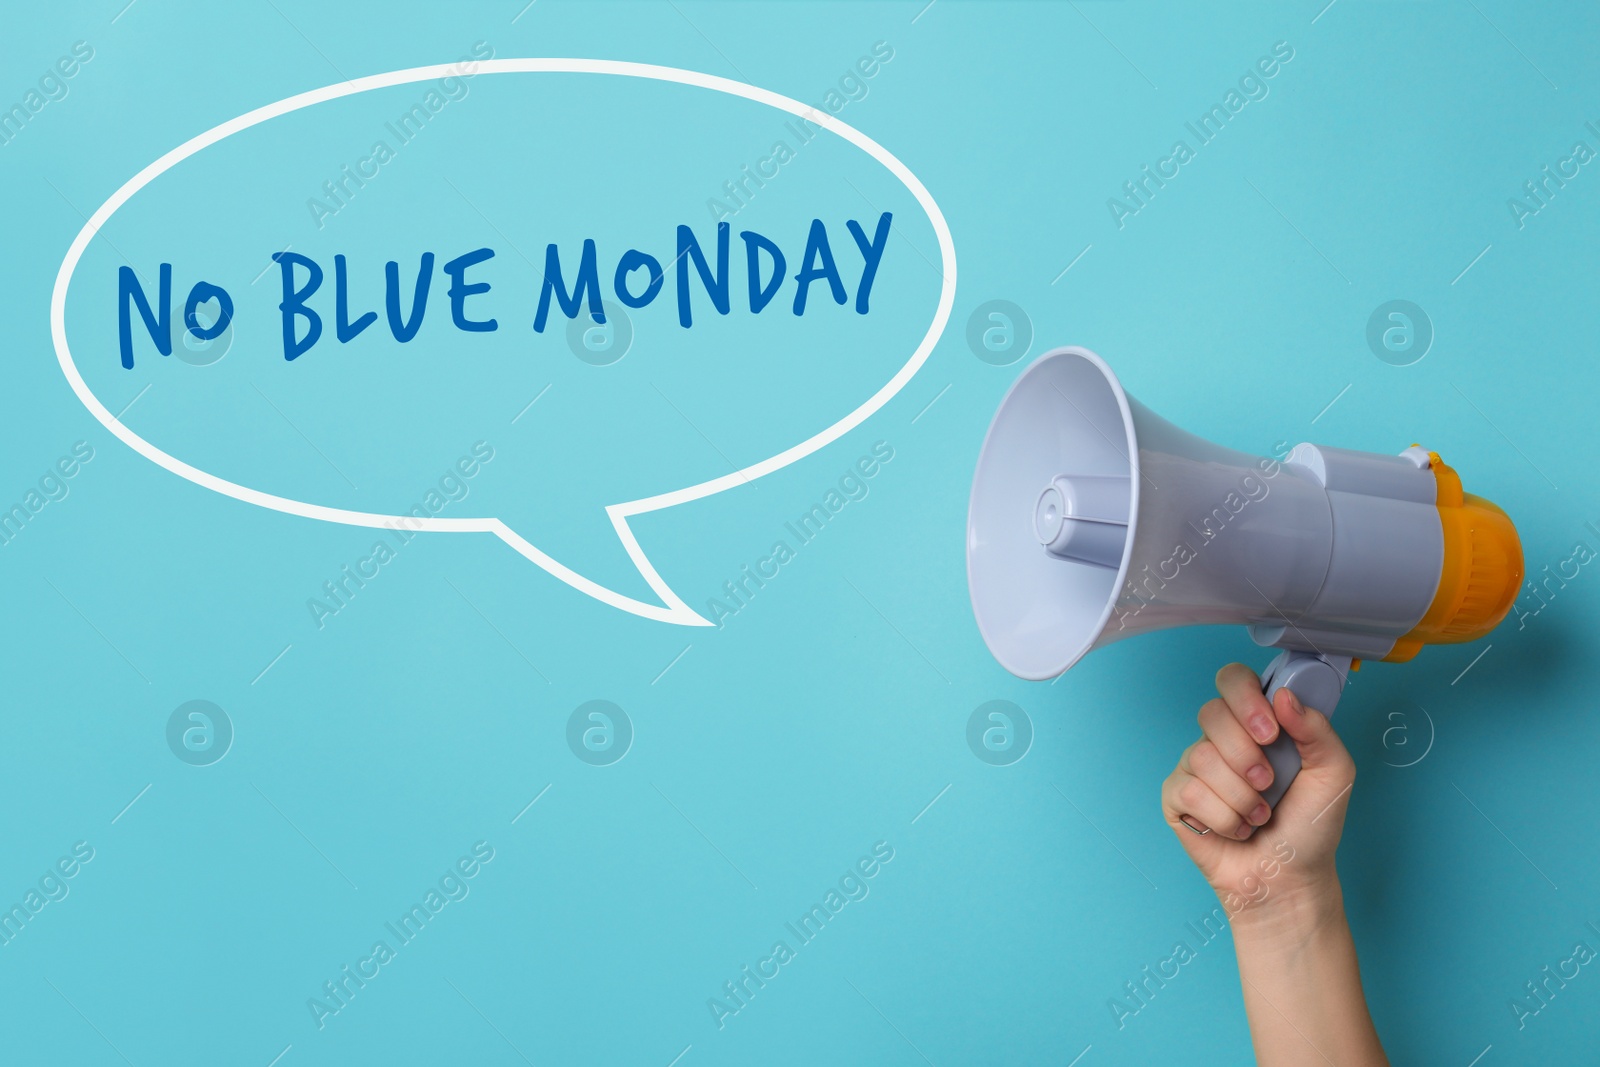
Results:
1303 986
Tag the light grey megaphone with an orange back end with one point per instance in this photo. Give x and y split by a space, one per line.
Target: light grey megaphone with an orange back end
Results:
1094 519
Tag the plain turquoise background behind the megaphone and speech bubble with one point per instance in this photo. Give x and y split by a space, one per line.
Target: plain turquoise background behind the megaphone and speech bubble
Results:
831 713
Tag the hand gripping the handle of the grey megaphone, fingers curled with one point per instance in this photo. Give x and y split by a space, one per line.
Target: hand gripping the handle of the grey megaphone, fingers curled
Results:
1217 788
